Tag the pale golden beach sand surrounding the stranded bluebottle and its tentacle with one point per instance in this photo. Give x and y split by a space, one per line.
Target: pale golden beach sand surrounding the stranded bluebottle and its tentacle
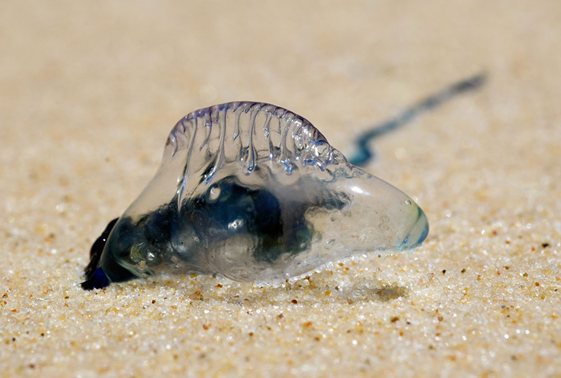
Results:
89 91
